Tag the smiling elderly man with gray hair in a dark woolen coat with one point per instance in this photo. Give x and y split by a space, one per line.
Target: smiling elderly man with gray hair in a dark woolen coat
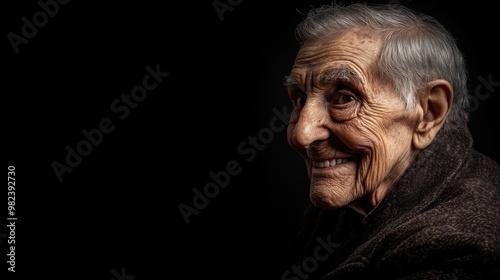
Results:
397 191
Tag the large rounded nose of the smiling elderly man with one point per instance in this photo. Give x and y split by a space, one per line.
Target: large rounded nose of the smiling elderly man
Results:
312 124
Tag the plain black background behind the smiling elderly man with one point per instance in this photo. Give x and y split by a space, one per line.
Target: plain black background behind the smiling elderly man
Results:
119 207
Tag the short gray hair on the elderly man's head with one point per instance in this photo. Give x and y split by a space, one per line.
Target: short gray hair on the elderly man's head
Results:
416 49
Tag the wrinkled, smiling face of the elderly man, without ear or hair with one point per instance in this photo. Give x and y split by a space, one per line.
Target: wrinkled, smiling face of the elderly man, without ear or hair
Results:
356 128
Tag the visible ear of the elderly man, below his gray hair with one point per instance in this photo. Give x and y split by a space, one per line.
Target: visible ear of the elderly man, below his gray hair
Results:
435 104
